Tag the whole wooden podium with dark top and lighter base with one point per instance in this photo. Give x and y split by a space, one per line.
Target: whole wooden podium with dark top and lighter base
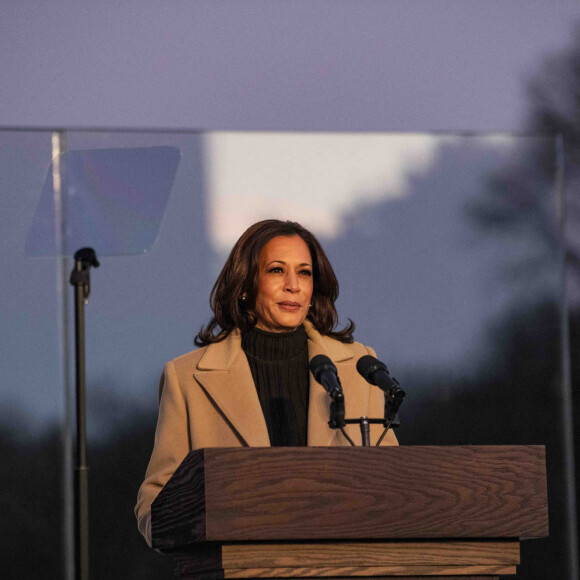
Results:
366 512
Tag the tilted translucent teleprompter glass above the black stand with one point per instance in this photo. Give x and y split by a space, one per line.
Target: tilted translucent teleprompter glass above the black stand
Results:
112 200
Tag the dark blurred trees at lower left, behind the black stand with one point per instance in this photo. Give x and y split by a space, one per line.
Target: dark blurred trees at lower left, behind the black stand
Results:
31 499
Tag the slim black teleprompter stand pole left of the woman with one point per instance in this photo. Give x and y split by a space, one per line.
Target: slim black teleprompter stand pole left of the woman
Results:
80 279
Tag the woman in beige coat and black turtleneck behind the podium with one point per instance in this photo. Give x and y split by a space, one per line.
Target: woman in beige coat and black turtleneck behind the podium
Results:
249 382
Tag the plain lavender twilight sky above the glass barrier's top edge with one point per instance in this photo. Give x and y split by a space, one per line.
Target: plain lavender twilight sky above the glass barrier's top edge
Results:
370 65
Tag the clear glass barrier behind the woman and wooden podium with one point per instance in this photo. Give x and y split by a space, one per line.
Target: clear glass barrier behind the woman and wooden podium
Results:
444 247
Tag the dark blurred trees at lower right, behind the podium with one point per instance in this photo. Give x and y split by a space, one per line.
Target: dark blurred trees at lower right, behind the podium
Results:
512 399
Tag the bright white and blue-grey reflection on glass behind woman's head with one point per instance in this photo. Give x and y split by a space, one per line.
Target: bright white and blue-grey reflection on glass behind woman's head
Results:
407 222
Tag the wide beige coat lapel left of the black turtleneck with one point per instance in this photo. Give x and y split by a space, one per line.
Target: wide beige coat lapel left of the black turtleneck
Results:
225 375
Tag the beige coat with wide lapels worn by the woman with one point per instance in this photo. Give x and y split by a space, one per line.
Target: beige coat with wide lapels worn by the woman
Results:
208 399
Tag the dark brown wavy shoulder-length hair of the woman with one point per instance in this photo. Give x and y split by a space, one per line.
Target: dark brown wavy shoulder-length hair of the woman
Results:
239 276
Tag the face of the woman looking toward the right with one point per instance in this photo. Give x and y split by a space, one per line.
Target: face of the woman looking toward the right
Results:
284 284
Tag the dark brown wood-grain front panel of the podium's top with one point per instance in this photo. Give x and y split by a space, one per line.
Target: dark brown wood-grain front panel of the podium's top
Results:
397 492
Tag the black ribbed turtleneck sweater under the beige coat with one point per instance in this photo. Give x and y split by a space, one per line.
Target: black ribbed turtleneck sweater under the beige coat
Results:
279 365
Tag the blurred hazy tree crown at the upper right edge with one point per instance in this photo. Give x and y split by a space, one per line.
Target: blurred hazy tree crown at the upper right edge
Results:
516 196
